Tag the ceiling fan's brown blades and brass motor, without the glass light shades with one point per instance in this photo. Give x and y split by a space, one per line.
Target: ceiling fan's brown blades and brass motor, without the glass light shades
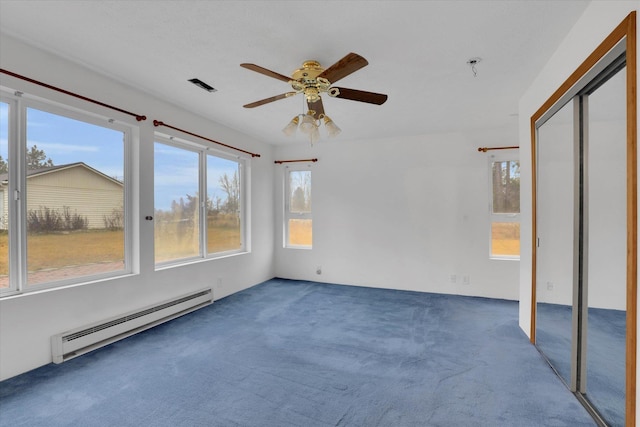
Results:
312 80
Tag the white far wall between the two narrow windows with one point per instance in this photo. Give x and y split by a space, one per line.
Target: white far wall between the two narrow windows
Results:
402 213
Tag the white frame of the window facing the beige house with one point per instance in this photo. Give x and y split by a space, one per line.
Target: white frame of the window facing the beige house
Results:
19 103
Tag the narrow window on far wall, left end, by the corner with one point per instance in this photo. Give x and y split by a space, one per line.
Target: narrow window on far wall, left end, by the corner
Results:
298 222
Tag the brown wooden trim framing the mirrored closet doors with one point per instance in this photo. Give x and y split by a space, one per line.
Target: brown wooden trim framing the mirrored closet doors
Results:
622 39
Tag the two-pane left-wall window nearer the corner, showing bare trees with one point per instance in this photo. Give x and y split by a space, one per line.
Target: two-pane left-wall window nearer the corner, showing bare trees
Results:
187 228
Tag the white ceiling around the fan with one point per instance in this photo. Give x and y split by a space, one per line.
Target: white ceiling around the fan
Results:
417 53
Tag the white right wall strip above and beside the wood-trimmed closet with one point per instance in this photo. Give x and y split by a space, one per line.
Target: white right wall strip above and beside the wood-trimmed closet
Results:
597 22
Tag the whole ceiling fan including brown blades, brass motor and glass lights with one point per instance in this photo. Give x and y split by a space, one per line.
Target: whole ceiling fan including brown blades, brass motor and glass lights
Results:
312 80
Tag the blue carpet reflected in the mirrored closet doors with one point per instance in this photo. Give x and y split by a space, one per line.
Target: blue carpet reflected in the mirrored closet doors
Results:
605 354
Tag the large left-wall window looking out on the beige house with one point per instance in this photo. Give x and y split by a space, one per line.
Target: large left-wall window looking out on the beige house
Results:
69 212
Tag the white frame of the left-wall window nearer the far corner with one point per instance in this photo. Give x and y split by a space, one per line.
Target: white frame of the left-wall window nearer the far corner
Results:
203 151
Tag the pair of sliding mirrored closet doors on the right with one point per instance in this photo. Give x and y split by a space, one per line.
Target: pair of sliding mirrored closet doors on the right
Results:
581 199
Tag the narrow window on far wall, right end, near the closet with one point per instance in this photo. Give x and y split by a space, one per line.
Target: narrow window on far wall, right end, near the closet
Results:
505 209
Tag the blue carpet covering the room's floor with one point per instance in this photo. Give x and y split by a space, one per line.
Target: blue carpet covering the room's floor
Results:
290 353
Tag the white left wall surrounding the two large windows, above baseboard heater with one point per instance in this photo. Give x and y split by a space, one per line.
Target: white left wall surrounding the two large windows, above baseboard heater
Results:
27 322
